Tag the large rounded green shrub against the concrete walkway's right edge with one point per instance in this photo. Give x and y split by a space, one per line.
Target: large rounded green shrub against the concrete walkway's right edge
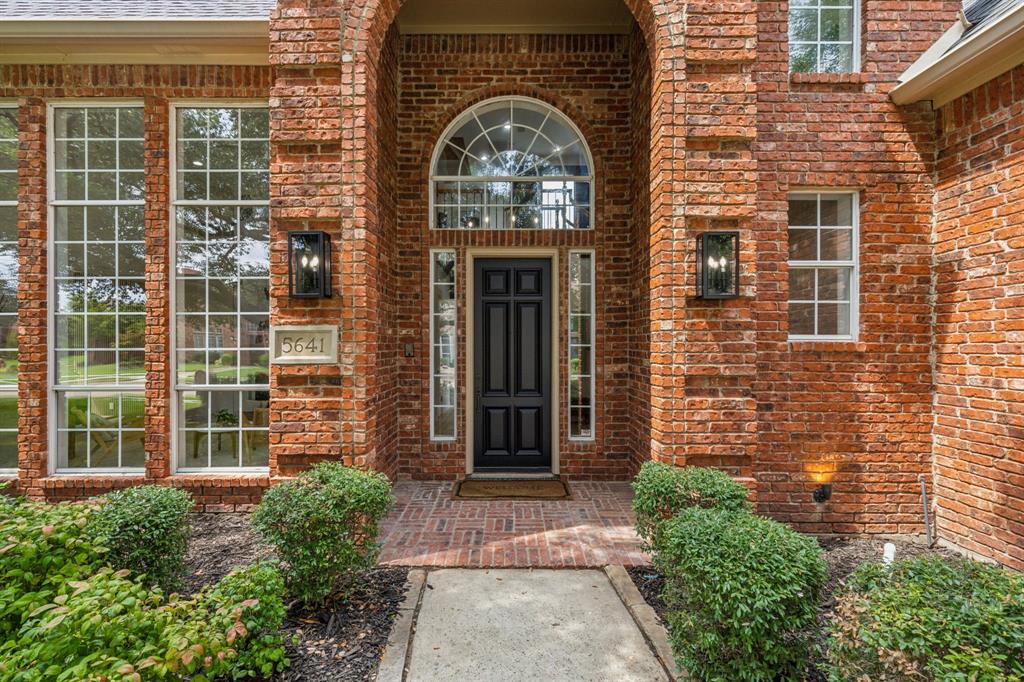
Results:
742 594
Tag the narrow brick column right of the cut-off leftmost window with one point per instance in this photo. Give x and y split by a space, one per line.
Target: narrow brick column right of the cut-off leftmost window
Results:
33 435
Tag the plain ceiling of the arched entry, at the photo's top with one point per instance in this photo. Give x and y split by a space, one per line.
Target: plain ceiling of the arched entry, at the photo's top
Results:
519 17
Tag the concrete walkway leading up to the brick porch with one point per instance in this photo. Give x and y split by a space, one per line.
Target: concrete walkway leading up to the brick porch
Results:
518 626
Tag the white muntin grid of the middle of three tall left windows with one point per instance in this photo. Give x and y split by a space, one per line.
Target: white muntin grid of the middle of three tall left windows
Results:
123 200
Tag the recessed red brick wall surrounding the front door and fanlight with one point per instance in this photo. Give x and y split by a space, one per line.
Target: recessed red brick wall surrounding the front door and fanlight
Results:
587 78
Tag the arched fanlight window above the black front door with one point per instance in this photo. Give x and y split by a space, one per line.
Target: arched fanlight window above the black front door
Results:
513 164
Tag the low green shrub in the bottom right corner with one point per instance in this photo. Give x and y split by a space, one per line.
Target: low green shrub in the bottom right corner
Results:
929 619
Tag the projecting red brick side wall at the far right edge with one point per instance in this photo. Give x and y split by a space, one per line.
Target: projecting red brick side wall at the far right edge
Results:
979 321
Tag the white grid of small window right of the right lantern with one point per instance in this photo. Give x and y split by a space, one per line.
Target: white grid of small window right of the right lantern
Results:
850 267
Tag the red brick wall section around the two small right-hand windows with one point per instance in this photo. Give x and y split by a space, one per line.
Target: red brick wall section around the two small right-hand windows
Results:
856 415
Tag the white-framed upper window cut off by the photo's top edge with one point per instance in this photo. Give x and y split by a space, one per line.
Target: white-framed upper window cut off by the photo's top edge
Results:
825 36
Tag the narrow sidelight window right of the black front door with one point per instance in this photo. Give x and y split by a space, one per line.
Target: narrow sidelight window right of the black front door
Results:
581 347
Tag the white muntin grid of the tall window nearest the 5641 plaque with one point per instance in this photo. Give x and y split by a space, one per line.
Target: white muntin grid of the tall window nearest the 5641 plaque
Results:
258 211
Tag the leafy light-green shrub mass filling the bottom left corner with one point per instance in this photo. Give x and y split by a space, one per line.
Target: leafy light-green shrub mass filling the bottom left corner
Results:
110 628
